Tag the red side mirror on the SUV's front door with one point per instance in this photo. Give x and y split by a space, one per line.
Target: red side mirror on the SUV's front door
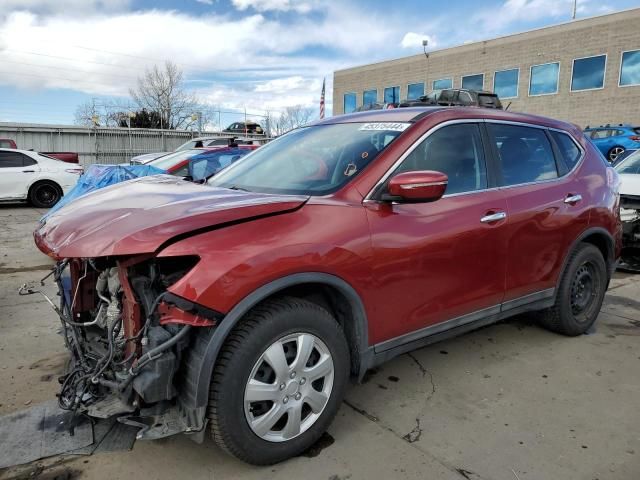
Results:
420 186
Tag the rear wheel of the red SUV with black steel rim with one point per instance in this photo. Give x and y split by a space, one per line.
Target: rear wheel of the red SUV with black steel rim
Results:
580 293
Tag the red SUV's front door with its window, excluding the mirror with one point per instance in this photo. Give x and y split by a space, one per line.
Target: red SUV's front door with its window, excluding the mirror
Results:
442 260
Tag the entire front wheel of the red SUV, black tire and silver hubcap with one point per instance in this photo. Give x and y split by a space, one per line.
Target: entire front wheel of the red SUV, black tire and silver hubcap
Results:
239 423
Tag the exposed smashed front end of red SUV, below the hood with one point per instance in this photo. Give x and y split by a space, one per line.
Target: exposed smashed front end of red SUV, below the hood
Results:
130 341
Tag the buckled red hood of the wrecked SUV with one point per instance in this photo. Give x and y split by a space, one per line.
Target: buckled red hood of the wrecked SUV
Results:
140 215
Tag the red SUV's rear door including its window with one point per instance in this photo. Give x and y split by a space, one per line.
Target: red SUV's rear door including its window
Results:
545 207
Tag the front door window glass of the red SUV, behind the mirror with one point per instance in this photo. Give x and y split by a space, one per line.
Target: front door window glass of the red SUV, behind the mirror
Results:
455 150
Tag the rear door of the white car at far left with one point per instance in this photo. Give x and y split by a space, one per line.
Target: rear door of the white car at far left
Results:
17 172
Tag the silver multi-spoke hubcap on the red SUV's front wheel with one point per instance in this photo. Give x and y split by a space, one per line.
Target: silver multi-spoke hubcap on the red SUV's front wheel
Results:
289 387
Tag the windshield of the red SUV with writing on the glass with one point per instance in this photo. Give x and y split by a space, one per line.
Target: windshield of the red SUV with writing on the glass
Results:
310 160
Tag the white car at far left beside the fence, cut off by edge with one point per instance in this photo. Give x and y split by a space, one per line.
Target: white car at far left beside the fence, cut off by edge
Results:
31 176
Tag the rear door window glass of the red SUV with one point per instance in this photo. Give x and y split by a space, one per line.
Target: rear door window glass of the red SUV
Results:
525 154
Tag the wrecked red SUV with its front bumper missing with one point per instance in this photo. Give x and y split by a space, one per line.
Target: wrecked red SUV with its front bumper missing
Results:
245 305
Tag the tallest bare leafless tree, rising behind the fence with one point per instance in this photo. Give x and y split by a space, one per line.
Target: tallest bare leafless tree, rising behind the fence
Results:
162 90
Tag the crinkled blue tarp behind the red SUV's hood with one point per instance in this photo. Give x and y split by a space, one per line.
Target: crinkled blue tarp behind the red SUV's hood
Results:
100 176
